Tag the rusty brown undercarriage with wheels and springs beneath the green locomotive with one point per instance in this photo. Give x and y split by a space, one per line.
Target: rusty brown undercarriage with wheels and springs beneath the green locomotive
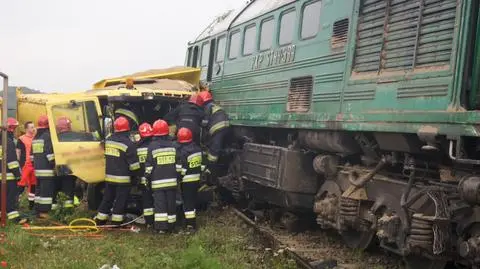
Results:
406 194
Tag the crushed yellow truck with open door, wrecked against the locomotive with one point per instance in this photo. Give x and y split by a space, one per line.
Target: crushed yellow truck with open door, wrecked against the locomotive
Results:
154 93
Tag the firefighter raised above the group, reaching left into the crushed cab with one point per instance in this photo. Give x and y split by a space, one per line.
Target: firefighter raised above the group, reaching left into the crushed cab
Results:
188 115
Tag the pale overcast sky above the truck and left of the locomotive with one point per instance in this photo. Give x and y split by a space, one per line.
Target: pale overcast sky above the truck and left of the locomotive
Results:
67 45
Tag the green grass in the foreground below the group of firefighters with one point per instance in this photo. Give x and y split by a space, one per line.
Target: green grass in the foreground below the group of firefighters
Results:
222 241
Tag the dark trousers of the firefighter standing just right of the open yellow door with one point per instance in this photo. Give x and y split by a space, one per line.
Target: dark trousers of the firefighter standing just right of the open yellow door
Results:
115 196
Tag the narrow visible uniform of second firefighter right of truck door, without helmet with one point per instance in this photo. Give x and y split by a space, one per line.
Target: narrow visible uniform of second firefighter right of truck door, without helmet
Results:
142 152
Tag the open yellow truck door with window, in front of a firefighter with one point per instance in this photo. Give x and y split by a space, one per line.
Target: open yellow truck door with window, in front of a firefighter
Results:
78 146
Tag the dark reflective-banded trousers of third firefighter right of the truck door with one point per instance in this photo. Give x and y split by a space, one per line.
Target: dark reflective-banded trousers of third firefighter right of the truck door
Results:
164 201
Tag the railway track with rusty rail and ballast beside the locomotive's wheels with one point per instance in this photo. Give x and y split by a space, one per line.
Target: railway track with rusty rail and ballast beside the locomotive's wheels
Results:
318 249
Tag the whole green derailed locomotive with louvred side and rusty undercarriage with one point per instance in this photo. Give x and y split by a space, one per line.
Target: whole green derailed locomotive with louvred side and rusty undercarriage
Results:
362 111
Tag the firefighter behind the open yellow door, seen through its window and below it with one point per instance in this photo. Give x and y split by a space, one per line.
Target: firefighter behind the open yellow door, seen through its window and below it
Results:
64 183
